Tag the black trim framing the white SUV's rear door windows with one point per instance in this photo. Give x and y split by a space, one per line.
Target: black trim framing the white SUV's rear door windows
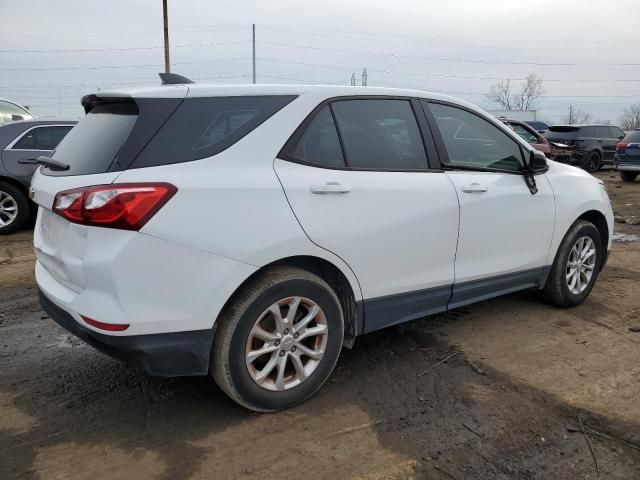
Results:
433 162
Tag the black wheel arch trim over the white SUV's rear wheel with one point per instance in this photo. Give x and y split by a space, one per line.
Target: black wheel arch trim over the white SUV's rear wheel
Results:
330 273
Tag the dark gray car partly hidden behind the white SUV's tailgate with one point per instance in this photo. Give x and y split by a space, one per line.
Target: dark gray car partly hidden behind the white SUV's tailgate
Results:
19 141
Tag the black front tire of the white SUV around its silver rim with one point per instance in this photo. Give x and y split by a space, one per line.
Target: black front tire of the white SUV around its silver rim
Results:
558 290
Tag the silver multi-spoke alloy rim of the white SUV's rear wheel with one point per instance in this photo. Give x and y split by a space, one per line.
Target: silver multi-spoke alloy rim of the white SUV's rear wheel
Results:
286 343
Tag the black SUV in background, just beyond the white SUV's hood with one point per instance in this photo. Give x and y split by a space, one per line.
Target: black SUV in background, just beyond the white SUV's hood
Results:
593 145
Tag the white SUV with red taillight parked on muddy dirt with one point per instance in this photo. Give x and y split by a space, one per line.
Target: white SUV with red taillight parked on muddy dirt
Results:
250 232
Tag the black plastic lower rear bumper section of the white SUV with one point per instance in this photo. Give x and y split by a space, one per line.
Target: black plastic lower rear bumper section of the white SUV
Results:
163 354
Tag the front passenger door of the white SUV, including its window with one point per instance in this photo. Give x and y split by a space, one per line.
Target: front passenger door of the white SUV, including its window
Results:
505 230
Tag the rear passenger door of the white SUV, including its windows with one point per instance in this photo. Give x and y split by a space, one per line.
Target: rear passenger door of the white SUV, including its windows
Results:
357 177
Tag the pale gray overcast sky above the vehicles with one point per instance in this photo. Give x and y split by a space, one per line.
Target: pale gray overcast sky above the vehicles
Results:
584 49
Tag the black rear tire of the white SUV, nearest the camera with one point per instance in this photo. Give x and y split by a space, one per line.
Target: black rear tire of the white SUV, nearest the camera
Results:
235 339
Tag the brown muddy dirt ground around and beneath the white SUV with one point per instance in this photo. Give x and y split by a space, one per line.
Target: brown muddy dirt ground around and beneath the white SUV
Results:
520 379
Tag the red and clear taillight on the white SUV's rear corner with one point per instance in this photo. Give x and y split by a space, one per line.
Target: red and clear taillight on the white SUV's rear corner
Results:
126 206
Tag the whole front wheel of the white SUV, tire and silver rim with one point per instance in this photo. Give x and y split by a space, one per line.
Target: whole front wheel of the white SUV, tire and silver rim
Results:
576 266
